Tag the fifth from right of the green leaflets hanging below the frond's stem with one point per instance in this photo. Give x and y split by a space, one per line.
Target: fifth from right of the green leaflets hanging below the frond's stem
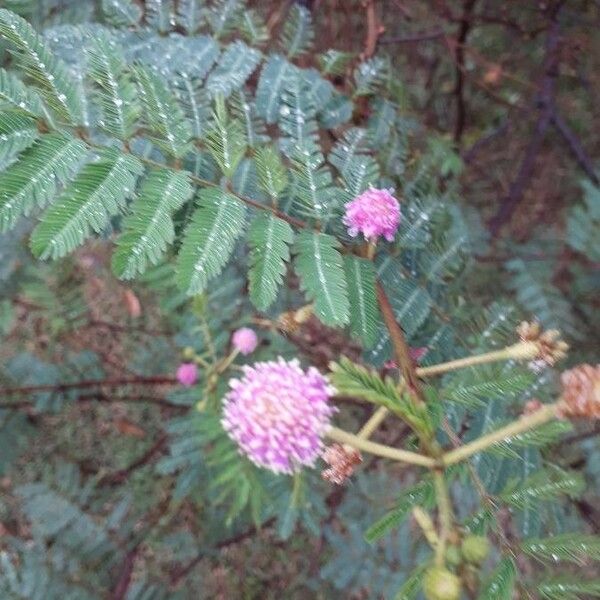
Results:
149 229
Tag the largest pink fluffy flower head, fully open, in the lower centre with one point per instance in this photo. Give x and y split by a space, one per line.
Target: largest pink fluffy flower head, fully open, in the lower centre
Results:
277 414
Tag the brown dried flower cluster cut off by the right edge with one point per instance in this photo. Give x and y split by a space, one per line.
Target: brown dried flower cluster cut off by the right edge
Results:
581 392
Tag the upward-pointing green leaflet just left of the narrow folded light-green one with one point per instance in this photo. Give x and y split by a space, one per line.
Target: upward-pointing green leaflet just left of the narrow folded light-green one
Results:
163 113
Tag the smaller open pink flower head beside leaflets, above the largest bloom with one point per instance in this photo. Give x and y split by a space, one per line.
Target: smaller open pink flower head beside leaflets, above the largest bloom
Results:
373 213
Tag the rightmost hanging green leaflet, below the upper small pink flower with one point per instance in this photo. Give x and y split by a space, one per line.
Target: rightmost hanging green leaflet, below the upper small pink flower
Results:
364 310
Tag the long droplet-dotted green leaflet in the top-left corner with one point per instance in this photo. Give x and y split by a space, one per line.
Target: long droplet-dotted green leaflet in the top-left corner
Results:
48 72
